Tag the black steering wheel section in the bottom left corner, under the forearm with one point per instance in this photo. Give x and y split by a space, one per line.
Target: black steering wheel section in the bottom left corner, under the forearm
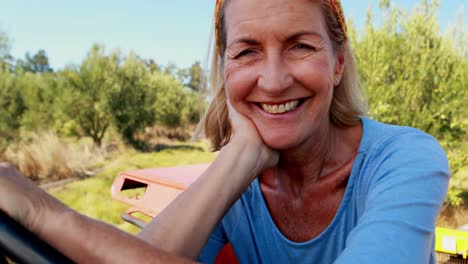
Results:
21 246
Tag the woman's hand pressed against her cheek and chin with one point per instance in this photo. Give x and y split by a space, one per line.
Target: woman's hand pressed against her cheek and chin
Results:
245 133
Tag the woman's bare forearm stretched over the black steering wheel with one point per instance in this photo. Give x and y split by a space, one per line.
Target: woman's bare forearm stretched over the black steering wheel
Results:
82 239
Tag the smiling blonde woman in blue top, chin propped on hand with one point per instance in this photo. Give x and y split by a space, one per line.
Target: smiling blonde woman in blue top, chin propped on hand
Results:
308 178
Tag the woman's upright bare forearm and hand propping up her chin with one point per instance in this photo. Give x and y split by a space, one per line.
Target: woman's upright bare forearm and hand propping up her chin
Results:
184 227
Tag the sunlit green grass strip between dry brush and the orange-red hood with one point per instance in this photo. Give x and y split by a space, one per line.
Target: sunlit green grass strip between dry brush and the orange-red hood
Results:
92 196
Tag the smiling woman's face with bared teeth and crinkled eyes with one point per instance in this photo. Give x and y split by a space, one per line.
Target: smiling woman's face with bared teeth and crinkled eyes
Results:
280 68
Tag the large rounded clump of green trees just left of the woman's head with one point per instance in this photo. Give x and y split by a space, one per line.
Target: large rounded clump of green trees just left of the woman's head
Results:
125 93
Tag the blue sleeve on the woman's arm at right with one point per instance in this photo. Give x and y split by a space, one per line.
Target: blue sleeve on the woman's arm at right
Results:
403 197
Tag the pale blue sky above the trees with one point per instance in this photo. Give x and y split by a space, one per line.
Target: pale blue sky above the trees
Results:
175 31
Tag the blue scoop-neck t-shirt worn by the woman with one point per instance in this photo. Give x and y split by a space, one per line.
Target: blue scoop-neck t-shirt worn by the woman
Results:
394 193
